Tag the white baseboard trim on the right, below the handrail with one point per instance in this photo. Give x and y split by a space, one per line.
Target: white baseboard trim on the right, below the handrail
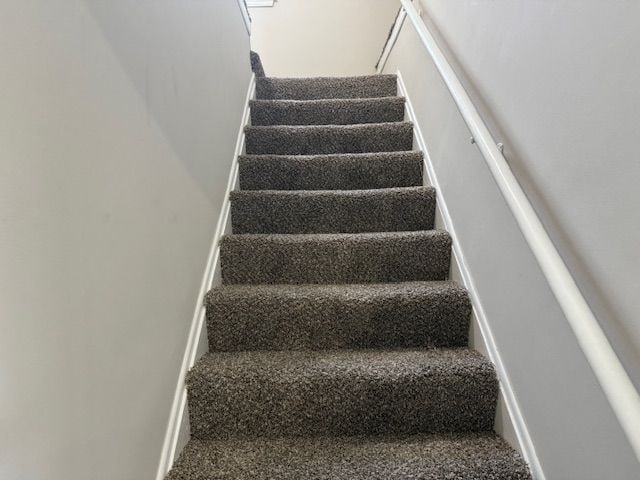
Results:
461 271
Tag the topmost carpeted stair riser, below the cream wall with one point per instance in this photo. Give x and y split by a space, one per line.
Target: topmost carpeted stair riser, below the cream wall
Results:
371 86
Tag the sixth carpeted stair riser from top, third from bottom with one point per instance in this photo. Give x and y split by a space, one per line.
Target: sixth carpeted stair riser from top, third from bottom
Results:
264 259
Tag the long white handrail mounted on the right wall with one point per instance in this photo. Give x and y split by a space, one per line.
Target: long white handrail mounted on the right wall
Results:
613 378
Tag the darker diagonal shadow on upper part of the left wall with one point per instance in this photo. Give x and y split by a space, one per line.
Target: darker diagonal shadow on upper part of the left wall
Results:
184 99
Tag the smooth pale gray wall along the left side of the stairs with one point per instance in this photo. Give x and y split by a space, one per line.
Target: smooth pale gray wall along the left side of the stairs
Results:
117 128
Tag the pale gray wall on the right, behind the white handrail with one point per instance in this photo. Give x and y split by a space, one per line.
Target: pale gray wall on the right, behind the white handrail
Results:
557 82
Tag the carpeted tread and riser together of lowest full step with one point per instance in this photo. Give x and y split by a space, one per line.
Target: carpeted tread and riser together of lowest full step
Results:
341 392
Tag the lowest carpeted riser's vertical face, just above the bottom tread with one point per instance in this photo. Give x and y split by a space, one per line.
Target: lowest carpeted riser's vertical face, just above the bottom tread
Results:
225 407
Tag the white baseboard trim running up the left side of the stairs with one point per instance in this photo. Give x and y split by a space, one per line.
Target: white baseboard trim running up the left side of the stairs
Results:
177 426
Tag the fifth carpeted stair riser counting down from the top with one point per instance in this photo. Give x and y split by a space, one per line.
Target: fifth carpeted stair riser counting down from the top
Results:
331 212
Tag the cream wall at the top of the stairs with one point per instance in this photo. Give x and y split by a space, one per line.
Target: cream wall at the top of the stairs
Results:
306 38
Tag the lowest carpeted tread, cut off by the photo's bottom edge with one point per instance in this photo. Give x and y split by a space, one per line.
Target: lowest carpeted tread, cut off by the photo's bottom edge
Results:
427 457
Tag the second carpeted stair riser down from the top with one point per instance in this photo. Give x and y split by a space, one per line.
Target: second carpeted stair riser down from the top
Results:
334 112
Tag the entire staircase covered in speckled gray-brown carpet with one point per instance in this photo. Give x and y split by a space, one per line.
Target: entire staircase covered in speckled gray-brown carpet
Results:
338 348
